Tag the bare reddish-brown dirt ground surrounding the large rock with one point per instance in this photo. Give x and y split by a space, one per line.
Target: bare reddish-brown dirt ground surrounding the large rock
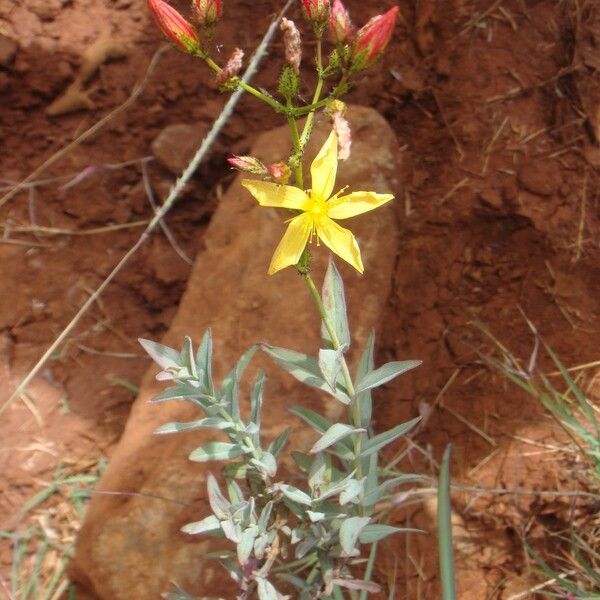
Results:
496 105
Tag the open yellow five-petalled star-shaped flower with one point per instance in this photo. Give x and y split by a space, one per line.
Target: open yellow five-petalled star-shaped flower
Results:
319 209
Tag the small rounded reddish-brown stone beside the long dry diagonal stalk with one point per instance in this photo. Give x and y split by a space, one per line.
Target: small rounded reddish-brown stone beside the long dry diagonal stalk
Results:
176 144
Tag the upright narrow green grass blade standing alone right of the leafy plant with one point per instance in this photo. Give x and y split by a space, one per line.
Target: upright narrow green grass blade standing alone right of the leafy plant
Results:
445 529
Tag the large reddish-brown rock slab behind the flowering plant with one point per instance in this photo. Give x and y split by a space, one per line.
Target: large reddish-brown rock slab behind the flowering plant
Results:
130 546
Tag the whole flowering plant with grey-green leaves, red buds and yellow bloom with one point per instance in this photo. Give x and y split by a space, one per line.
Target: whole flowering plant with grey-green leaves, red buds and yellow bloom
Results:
310 535
